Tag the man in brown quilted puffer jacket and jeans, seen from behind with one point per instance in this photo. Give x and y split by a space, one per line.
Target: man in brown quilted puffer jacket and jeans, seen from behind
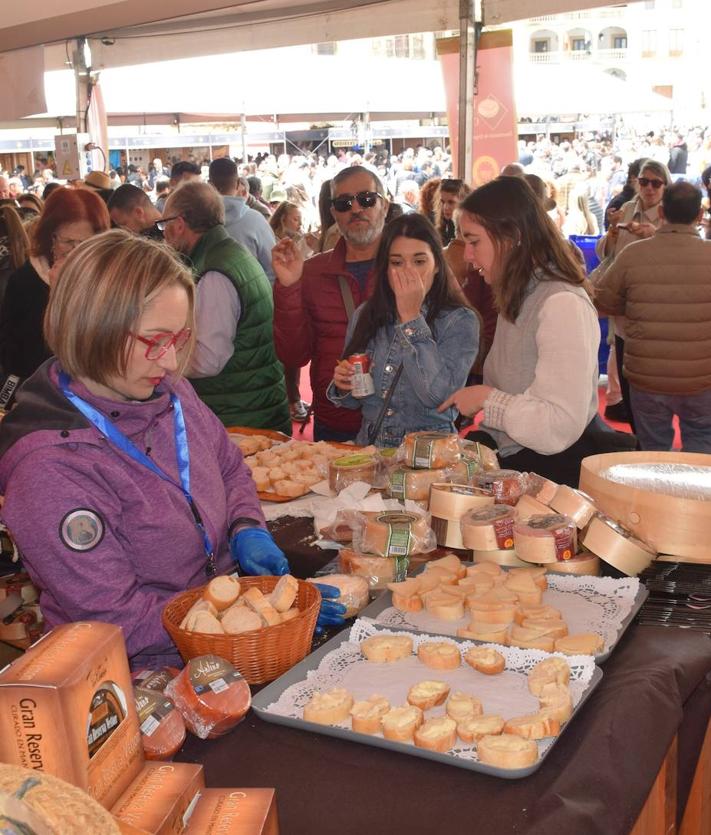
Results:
662 285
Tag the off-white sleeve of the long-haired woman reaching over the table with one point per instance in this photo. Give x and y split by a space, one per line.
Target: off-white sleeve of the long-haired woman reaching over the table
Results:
555 409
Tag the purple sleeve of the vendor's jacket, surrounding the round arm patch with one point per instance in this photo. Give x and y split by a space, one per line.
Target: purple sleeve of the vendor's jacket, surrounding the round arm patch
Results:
98 584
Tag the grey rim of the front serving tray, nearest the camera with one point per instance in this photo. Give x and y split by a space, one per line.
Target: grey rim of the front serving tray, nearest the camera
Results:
271 693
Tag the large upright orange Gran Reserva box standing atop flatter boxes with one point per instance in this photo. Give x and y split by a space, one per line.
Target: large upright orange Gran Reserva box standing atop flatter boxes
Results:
66 708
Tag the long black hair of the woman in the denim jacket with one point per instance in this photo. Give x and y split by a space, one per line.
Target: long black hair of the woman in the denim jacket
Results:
381 309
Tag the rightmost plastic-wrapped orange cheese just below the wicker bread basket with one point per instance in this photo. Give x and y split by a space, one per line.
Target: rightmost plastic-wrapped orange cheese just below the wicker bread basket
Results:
211 696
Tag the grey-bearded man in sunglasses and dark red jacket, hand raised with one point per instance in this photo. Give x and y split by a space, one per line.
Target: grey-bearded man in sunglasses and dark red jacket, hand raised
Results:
314 300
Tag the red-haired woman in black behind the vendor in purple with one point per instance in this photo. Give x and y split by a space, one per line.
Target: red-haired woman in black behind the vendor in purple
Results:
69 217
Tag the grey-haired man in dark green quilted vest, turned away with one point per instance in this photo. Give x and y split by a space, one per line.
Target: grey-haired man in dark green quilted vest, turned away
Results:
234 367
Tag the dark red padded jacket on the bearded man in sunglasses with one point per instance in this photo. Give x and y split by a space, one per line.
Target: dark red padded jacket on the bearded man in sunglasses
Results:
310 323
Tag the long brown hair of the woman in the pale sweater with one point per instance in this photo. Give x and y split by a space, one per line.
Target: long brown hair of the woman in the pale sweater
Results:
525 240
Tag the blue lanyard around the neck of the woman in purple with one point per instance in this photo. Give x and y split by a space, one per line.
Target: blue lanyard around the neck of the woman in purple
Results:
118 439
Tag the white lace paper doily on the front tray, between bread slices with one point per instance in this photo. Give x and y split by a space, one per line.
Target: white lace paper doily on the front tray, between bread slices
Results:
505 694
